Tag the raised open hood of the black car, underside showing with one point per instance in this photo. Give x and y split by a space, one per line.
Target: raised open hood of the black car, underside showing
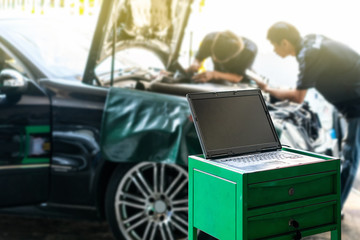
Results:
157 25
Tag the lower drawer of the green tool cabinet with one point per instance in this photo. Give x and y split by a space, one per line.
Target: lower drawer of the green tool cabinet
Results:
281 223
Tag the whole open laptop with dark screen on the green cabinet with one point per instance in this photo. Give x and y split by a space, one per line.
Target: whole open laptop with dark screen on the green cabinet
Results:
235 128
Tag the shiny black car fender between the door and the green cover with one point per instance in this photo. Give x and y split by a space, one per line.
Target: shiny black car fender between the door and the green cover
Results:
77 110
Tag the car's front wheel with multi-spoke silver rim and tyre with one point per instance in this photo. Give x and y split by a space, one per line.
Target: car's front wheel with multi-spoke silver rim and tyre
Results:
148 201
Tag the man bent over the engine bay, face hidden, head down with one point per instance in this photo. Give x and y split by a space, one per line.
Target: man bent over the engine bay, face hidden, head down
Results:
230 54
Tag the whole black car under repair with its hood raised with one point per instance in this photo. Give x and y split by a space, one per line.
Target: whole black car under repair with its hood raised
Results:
111 143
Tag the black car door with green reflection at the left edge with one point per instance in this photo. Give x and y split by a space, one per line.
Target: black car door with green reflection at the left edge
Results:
24 135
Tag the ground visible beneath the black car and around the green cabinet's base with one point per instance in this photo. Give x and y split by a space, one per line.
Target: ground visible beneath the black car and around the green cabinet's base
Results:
21 228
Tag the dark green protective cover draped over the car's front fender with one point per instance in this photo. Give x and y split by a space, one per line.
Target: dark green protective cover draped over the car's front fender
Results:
144 126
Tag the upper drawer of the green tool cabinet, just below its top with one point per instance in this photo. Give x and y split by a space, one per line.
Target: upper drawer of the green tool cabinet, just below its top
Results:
290 189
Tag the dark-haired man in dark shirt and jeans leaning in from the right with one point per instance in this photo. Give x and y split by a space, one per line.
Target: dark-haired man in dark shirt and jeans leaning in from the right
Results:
333 69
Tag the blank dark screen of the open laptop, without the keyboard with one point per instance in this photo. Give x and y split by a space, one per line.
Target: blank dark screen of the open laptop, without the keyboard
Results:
233 122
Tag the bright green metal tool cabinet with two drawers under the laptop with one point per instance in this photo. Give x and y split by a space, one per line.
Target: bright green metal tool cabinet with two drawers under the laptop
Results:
277 203
